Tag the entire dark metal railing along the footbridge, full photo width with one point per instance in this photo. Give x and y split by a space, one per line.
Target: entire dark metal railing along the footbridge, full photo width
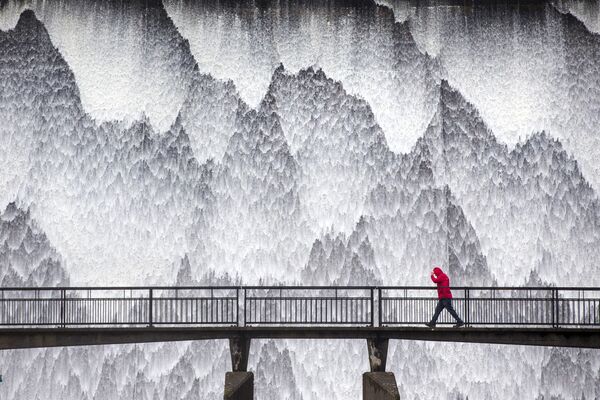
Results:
357 306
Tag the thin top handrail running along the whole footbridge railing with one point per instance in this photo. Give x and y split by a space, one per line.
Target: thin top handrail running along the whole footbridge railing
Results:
292 287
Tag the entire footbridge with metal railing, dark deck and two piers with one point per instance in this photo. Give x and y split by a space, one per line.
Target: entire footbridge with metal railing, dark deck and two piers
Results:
76 316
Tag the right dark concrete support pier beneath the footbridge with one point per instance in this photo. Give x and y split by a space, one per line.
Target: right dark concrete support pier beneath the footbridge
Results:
378 384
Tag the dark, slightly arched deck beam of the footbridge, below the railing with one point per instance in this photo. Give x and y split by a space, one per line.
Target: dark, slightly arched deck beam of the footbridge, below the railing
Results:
22 338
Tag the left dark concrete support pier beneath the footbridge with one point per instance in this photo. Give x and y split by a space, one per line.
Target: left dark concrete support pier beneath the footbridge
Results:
239 383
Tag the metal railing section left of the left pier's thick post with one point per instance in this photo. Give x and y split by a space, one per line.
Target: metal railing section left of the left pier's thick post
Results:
119 306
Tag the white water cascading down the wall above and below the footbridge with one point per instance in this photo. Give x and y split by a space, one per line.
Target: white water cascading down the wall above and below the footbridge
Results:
336 142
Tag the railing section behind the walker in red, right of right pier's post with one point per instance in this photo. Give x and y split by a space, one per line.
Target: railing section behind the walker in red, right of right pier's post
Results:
494 306
